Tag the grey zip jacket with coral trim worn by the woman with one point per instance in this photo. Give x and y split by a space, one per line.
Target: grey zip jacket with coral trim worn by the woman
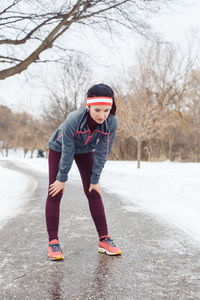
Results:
75 137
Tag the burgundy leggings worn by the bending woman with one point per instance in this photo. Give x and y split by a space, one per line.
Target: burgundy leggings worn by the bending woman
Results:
84 163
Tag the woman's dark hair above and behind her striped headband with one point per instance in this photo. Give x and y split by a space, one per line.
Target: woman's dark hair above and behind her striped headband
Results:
103 90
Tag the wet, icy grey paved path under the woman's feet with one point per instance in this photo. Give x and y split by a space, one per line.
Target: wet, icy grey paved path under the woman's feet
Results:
158 260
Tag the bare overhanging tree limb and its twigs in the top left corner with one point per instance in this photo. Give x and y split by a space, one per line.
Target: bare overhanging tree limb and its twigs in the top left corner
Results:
29 28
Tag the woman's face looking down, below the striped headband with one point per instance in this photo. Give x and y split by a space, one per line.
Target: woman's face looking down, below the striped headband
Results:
99 113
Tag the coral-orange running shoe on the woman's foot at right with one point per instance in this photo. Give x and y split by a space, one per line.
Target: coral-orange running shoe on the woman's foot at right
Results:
106 245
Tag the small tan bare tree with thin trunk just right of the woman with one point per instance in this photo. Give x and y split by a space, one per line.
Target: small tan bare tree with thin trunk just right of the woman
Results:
142 119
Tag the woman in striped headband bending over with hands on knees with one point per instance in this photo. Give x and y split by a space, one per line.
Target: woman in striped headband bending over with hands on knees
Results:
86 136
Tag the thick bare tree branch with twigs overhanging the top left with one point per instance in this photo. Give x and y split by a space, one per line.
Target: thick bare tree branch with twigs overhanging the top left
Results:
123 10
